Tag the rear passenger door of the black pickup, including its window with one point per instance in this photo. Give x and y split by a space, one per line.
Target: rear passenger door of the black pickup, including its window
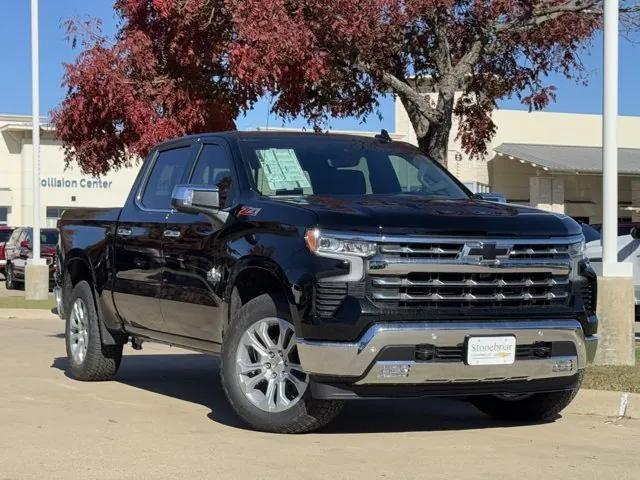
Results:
138 258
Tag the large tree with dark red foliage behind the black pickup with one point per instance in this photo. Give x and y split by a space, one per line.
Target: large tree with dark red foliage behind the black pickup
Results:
186 66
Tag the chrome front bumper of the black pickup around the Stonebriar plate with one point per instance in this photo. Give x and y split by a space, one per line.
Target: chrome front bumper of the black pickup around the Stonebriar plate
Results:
359 359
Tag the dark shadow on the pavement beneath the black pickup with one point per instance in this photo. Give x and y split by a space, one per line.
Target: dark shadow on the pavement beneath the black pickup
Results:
195 378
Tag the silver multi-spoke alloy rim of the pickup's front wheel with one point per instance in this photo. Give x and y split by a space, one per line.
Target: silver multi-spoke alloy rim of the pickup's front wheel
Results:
268 366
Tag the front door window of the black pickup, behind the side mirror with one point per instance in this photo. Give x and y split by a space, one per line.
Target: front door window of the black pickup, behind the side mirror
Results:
214 169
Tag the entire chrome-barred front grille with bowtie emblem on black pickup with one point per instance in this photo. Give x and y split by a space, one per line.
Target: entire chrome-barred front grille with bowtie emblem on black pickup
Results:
467 273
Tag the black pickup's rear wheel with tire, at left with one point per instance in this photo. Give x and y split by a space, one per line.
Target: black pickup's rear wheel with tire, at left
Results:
88 359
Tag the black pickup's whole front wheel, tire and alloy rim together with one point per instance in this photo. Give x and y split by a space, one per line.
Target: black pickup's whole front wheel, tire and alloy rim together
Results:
303 413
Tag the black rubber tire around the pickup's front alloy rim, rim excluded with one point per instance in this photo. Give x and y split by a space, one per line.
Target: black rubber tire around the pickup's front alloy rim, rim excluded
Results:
261 307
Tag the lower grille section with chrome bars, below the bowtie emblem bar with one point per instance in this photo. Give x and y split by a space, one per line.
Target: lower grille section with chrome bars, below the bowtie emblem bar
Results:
470 289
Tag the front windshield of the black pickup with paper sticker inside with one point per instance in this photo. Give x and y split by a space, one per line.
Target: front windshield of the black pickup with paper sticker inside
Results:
324 165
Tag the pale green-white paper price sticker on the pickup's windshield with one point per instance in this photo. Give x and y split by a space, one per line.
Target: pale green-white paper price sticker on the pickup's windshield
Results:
282 169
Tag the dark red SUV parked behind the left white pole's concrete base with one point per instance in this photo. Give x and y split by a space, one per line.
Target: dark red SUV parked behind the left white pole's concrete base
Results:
19 249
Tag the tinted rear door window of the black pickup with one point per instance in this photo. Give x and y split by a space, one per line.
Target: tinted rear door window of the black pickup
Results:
166 174
